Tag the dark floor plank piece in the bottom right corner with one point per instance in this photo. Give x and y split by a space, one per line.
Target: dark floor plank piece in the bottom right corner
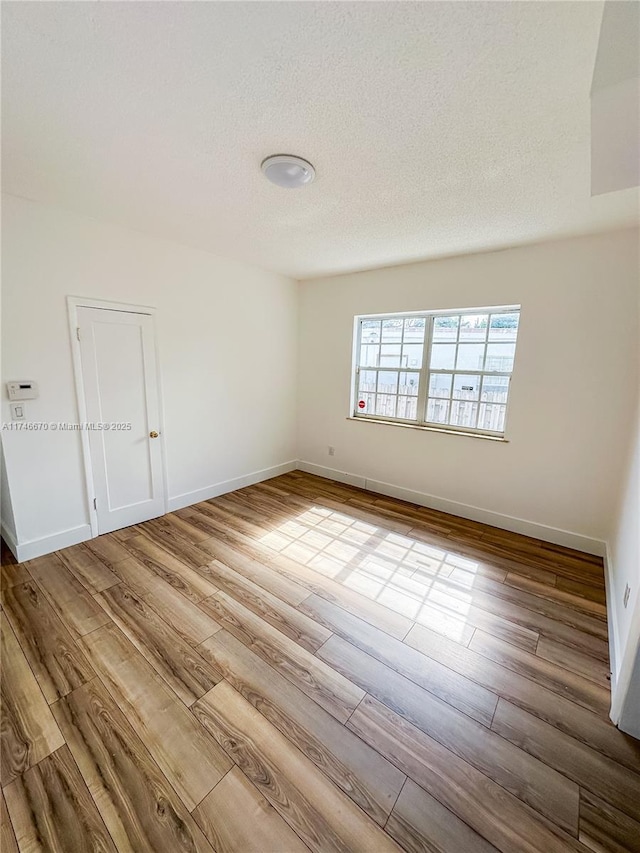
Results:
605 829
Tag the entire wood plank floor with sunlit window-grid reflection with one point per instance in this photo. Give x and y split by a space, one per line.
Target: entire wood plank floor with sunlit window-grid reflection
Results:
302 665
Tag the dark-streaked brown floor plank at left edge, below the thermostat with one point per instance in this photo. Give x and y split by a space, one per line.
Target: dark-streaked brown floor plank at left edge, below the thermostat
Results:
57 663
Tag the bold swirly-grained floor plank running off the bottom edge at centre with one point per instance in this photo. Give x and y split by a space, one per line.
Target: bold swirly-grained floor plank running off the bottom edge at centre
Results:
320 814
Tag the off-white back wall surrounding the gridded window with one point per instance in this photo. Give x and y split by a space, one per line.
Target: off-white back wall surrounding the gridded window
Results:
572 391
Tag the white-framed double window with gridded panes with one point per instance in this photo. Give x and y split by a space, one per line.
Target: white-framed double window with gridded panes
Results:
450 370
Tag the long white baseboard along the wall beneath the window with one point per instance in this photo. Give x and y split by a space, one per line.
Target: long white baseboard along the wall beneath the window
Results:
506 522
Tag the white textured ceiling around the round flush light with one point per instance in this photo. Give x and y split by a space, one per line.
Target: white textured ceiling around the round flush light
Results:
435 128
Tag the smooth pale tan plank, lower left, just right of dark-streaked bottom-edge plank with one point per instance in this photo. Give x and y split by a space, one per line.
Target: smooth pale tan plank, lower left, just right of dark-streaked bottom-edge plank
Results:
189 758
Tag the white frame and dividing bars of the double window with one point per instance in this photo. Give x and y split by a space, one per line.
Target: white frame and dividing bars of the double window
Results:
424 371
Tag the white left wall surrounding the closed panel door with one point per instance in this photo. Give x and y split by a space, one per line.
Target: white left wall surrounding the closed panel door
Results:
227 343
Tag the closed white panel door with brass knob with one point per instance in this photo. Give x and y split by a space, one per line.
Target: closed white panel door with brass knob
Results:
121 387
